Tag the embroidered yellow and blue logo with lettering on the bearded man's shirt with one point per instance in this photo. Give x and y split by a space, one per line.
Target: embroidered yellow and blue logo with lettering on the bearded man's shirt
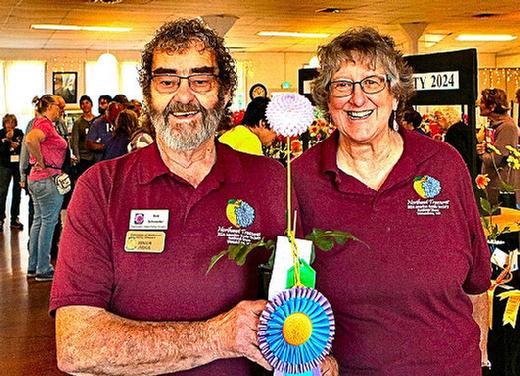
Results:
241 215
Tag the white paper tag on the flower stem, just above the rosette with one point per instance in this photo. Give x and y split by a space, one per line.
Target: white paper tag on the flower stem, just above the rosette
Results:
283 262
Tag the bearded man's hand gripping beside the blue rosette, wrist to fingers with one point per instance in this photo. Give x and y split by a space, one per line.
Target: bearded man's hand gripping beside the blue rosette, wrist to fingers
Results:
236 332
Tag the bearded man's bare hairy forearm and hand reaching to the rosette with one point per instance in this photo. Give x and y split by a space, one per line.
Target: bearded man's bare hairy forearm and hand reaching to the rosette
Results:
91 340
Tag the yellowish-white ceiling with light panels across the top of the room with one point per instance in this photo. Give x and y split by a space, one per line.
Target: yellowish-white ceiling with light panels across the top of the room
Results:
144 16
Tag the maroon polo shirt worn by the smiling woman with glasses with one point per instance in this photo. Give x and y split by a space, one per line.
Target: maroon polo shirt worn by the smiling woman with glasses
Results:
400 301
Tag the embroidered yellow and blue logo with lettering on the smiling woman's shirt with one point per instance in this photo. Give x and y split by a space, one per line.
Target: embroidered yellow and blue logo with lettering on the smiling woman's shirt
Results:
427 187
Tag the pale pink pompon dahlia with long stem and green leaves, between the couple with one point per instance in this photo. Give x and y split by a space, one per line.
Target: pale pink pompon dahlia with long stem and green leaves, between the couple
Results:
290 115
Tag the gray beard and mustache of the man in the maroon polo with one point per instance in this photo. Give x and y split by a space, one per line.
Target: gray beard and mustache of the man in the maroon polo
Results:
187 140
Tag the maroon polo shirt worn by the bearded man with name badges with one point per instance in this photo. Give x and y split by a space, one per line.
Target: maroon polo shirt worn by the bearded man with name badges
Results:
94 269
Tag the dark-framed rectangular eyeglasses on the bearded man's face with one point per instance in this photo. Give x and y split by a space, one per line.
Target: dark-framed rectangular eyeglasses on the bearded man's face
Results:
168 83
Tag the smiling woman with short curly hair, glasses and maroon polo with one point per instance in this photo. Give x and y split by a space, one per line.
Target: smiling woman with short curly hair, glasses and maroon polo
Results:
390 187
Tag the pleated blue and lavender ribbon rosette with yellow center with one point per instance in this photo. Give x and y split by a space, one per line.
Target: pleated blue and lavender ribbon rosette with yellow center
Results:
296 331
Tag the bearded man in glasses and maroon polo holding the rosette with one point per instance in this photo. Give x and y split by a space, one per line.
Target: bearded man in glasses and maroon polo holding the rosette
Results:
130 294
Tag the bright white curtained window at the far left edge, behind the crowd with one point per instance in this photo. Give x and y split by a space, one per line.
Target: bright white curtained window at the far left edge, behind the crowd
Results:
23 80
